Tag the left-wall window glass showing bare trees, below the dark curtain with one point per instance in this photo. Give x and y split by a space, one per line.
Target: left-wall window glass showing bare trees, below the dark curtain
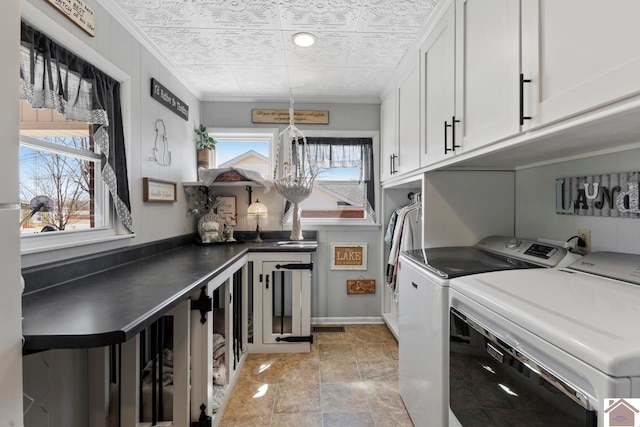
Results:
60 185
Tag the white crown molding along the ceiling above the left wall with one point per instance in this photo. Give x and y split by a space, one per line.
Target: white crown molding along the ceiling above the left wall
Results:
123 19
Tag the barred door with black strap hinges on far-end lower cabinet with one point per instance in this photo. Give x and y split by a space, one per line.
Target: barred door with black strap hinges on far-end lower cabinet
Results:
285 302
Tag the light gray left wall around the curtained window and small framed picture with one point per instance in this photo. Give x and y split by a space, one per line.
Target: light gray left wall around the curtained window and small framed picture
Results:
152 221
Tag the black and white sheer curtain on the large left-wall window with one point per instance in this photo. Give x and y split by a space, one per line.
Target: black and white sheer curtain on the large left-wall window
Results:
52 77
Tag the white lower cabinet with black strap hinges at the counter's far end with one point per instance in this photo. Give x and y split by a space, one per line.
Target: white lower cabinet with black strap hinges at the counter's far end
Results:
279 302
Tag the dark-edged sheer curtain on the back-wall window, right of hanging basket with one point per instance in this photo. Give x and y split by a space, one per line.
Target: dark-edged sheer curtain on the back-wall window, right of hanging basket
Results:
331 152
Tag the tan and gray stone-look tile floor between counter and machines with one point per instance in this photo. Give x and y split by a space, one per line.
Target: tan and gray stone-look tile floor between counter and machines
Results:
349 379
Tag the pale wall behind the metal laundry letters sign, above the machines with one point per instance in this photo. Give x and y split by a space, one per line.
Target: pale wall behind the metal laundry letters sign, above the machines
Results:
536 209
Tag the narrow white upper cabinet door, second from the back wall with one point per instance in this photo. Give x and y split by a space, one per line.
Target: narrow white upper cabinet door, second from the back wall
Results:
409 118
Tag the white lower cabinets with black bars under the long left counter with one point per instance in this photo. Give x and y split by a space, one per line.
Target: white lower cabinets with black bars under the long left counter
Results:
197 349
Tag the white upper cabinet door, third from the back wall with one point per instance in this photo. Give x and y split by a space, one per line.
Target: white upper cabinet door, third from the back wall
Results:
438 91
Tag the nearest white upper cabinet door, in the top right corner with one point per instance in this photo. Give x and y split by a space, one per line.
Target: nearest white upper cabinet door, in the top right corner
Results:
579 55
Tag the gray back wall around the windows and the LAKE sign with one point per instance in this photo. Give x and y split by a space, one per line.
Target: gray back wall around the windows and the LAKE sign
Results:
329 295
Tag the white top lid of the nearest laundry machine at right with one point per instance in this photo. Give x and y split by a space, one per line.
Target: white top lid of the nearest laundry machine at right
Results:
592 318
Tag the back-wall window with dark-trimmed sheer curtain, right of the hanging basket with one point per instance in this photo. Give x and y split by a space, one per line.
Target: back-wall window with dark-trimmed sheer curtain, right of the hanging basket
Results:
344 186
